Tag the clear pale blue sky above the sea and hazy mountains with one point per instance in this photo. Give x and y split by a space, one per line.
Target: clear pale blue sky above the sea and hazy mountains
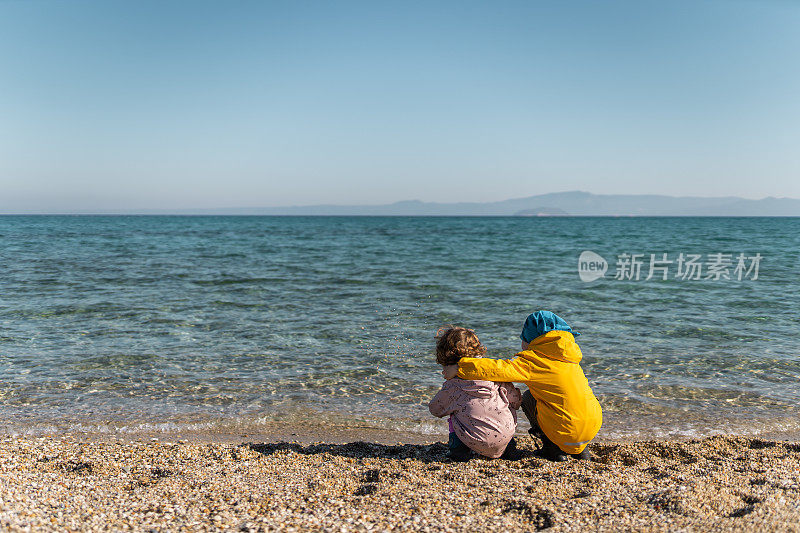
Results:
118 105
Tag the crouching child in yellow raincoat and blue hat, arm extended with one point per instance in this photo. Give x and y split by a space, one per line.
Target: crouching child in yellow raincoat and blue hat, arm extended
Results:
560 405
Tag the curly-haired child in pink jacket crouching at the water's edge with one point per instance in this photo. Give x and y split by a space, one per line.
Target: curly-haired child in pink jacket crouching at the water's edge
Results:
483 414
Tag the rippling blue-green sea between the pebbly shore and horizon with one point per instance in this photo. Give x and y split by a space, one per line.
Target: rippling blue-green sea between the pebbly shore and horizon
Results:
233 324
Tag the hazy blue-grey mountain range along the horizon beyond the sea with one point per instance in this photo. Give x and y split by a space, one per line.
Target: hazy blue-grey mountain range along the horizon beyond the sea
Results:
574 203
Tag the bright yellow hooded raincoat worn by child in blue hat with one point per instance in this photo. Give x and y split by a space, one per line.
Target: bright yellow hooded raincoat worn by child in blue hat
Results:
566 408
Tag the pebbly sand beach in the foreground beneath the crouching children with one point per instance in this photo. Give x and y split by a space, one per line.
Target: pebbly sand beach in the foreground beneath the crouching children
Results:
713 484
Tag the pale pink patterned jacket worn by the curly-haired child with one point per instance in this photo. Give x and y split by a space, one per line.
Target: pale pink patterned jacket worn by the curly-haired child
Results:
483 413
